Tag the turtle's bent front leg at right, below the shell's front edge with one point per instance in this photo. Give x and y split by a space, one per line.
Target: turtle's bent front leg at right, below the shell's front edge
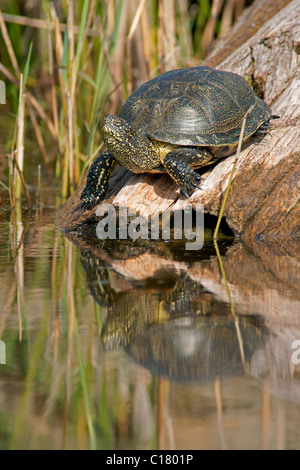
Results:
179 165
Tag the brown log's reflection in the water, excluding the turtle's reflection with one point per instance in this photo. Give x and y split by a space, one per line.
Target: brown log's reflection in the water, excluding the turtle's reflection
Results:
263 280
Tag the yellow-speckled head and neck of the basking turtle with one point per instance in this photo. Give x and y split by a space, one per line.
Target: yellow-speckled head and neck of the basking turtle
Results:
129 146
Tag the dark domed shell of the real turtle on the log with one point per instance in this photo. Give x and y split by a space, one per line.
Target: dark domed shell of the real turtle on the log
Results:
196 106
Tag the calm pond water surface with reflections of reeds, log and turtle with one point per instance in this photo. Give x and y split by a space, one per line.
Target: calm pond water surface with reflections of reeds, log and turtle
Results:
136 345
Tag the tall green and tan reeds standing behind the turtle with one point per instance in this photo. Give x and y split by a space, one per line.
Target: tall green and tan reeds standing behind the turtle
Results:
83 59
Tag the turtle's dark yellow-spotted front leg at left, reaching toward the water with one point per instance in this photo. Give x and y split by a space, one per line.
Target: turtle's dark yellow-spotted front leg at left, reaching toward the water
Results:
98 180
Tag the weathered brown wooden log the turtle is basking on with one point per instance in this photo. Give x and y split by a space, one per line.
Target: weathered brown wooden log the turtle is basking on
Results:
264 198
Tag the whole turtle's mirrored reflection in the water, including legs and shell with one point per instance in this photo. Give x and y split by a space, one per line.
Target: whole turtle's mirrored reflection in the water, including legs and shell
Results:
174 327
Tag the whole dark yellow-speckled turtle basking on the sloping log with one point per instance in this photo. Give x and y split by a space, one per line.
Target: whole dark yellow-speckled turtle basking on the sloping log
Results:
177 122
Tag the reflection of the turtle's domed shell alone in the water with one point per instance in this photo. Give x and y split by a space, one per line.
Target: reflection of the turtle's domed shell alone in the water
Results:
199 347
